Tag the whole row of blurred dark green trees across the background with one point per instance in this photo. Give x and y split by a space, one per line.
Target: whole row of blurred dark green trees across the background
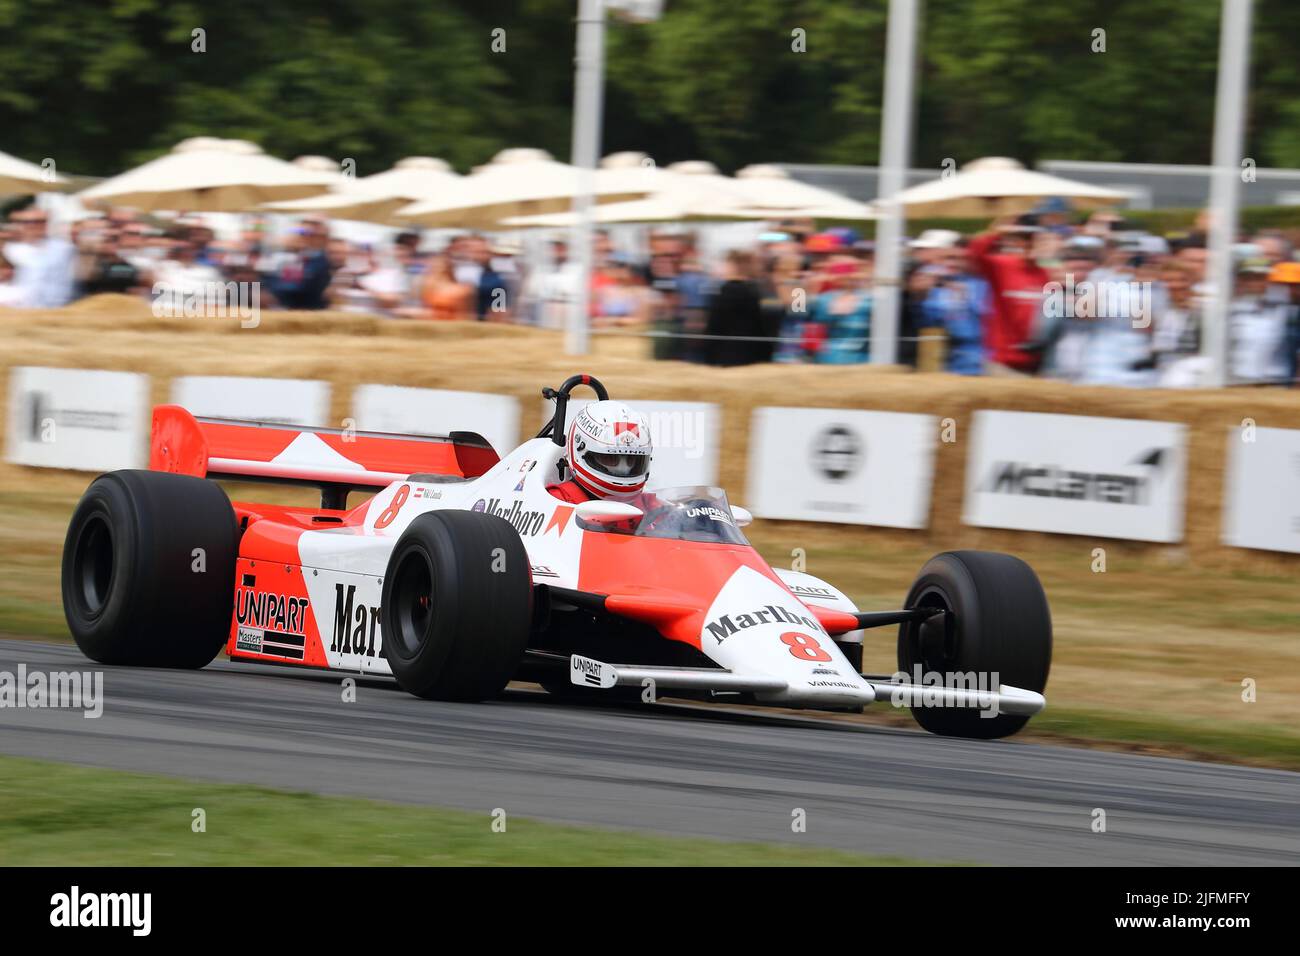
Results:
101 85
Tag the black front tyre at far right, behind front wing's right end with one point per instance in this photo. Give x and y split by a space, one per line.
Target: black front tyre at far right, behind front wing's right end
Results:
996 622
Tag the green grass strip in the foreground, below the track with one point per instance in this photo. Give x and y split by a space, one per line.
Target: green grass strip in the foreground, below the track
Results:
70 816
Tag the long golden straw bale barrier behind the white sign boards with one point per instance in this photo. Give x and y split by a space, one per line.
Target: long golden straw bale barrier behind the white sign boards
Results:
348 351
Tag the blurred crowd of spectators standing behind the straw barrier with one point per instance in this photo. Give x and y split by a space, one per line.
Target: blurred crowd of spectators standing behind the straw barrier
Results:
1098 301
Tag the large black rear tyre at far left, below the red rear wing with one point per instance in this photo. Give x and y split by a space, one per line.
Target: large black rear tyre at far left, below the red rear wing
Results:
149 570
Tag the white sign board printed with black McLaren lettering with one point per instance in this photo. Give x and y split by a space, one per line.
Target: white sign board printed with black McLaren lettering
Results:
1074 475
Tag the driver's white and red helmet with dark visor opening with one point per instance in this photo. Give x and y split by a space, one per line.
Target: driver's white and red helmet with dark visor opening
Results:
610 451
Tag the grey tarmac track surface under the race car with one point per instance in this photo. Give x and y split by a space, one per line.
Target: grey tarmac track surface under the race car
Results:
679 769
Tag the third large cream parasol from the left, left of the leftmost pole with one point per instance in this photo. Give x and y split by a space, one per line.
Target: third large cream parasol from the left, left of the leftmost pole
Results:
378 198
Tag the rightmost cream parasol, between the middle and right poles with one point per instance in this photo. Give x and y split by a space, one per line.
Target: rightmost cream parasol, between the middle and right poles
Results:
998 187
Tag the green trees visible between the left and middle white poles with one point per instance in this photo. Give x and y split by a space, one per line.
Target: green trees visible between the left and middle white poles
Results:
753 81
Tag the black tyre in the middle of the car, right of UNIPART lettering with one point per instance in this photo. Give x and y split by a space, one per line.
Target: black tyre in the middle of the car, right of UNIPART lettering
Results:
457 607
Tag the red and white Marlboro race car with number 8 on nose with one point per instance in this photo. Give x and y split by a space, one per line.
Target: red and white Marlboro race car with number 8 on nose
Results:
463 573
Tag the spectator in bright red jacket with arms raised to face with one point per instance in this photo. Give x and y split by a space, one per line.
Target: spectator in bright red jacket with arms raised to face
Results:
1006 258
